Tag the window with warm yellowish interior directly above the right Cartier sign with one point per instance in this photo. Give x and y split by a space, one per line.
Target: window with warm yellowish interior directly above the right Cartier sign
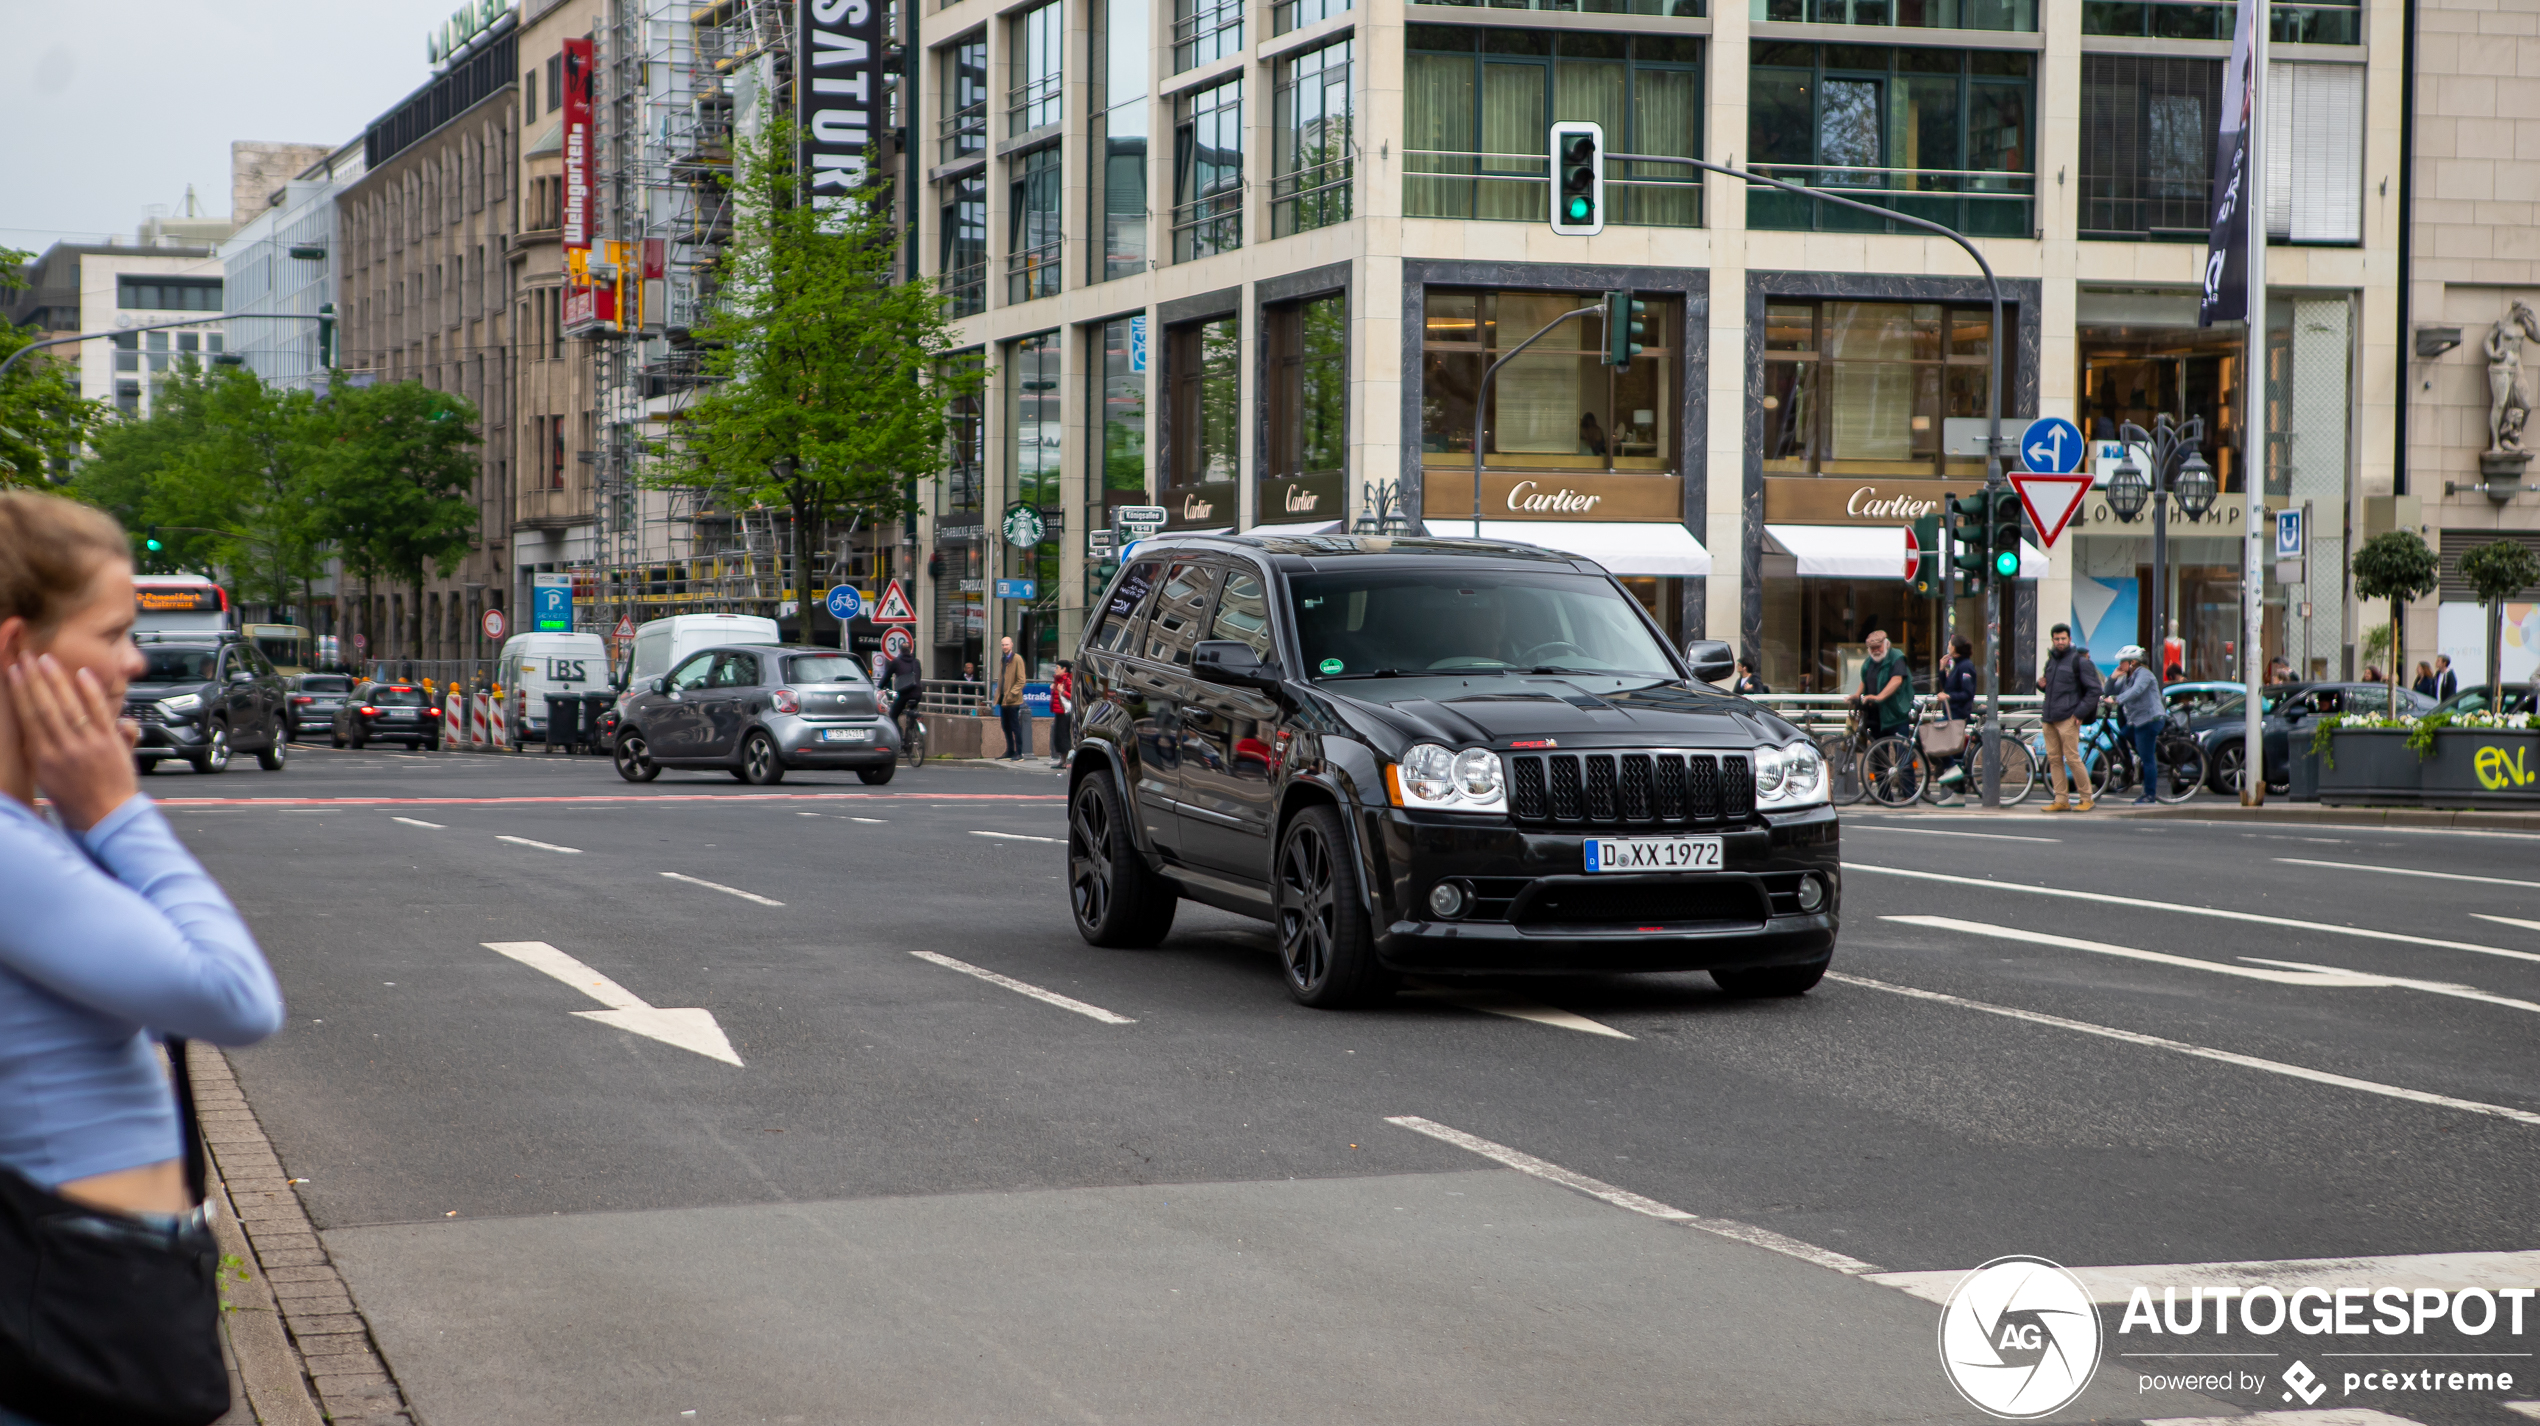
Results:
1876 388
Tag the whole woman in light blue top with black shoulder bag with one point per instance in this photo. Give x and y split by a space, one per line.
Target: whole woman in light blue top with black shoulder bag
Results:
113 939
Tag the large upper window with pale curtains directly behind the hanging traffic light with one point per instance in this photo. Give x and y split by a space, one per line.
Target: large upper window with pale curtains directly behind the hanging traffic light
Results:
1480 105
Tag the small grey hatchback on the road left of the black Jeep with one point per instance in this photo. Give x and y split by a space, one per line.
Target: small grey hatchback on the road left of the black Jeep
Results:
758 710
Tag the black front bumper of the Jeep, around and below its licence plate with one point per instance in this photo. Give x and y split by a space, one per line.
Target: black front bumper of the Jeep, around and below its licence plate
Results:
1535 906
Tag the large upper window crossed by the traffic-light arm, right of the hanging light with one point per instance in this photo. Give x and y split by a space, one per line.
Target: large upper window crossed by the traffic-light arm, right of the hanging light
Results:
1934 133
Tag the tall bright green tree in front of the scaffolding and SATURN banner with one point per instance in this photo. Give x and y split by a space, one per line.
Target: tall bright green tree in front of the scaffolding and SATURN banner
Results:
829 383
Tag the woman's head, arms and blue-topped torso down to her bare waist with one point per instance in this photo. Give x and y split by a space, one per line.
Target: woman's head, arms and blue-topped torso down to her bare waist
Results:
113 932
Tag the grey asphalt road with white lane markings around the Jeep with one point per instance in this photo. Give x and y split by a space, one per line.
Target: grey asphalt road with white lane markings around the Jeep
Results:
928 1196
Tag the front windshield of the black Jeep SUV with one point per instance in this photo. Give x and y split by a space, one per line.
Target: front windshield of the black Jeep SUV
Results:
1469 621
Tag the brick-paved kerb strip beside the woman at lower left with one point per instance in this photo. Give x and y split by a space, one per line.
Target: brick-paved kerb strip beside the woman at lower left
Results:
301 1343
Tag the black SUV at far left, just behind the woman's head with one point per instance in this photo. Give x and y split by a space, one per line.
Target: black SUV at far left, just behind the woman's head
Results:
207 698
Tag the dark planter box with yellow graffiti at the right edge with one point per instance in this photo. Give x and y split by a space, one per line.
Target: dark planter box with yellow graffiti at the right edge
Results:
2473 761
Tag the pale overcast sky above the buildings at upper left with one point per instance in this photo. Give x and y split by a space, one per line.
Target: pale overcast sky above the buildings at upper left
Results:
113 105
